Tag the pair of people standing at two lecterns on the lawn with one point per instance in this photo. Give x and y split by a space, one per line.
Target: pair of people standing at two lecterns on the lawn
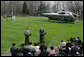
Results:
27 34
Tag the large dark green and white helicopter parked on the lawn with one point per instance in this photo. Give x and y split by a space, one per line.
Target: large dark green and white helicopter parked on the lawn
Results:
63 16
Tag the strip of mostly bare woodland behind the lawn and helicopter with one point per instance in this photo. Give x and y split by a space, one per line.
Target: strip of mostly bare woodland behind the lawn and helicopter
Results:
35 8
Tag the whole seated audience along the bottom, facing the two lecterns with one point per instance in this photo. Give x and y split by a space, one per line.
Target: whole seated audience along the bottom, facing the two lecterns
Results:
73 47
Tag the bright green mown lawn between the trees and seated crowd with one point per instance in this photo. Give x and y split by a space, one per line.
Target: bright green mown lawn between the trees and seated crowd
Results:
13 31
